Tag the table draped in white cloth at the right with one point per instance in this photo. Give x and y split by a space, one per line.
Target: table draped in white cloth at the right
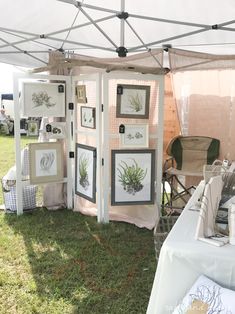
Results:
182 259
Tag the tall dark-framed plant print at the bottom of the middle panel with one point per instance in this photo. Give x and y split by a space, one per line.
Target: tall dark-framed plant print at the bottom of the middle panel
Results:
85 172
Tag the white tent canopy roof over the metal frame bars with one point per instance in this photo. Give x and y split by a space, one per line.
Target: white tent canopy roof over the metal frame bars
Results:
29 29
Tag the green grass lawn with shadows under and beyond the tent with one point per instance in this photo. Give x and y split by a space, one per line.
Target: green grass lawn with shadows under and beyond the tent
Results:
63 262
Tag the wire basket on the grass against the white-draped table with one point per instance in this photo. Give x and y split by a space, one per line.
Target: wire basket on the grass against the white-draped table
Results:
161 231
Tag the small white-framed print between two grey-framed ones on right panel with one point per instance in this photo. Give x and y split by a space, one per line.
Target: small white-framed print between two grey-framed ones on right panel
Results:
135 136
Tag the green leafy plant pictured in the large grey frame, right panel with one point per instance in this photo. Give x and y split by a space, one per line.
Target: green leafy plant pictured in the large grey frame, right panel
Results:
131 177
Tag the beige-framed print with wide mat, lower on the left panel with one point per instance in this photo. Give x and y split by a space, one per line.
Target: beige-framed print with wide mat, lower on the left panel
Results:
45 162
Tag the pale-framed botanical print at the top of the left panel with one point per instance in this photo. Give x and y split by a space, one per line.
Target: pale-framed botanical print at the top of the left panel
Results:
43 99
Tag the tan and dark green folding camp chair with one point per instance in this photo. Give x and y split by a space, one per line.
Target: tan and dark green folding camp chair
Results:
188 155
